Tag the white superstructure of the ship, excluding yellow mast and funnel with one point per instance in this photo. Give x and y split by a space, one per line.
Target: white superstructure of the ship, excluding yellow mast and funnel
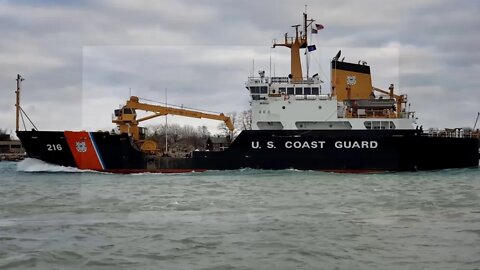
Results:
280 103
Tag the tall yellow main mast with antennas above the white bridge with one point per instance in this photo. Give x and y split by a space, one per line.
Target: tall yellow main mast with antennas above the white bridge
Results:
295 44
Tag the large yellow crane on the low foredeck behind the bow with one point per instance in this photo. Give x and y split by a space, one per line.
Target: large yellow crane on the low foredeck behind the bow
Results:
127 122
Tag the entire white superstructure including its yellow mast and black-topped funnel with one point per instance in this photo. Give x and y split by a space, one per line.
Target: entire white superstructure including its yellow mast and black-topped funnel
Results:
296 102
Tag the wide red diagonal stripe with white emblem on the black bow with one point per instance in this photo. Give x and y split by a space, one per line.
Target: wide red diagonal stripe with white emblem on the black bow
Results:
83 150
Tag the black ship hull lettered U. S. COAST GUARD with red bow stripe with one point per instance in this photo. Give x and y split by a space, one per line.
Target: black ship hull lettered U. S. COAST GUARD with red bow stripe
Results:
324 150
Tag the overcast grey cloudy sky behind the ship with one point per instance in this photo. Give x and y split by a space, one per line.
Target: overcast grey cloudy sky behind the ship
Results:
81 59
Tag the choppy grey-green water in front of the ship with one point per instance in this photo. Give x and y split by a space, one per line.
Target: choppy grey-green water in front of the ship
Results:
238 220
